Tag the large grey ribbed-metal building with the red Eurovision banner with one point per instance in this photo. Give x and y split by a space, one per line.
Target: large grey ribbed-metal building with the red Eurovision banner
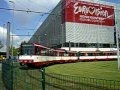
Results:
78 24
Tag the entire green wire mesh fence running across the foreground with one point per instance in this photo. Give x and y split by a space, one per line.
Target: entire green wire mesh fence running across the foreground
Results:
16 77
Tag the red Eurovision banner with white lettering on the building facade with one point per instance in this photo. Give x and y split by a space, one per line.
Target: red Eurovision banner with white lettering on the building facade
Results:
89 13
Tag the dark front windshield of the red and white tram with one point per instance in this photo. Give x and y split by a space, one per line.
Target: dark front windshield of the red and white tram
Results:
27 49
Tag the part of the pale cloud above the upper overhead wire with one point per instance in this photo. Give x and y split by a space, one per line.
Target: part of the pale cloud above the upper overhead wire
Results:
35 5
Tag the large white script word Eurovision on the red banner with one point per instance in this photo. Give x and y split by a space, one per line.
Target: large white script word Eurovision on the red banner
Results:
90 10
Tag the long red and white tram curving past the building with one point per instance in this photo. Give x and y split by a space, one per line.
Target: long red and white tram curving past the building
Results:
38 55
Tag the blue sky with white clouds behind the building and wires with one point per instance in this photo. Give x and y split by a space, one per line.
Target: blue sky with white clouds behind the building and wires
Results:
24 24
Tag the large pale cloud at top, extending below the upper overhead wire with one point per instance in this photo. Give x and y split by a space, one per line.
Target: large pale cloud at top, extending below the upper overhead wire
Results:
30 5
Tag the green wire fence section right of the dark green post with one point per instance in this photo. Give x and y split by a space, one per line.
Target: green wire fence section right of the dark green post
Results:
66 82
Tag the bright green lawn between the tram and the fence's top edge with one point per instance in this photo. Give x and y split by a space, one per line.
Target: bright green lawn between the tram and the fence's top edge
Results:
99 69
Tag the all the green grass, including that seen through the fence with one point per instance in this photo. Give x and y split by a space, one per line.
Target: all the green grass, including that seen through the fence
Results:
68 76
